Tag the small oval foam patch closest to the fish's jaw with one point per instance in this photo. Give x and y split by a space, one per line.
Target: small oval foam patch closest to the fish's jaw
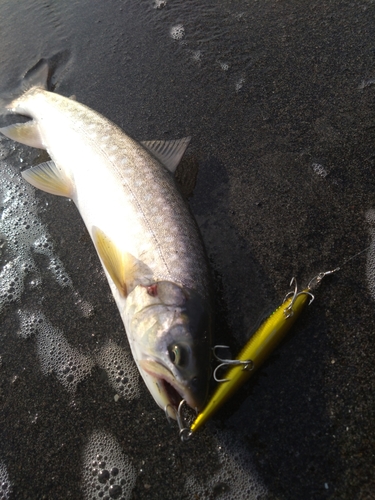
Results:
122 372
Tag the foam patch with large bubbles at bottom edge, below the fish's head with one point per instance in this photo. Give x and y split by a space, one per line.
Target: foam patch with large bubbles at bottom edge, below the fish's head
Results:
107 471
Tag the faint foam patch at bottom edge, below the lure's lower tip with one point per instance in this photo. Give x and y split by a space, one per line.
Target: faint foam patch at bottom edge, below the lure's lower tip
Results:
236 477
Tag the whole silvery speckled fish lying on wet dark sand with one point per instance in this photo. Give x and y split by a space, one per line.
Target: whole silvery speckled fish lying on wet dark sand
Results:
146 238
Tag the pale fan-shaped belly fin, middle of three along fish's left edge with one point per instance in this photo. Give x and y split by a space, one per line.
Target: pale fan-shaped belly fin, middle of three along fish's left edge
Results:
50 178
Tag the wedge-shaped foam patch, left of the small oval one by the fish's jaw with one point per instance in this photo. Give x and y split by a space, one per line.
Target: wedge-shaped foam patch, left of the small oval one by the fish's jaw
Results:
56 355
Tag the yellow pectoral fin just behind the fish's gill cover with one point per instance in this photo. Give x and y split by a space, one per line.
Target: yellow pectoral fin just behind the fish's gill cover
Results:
125 270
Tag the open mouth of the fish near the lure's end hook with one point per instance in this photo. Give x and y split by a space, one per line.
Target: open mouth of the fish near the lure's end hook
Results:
170 391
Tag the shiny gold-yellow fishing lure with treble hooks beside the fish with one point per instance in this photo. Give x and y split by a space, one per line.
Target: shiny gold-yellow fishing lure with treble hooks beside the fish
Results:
254 353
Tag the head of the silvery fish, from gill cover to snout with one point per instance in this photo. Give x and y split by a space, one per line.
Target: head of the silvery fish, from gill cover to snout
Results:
169 327
